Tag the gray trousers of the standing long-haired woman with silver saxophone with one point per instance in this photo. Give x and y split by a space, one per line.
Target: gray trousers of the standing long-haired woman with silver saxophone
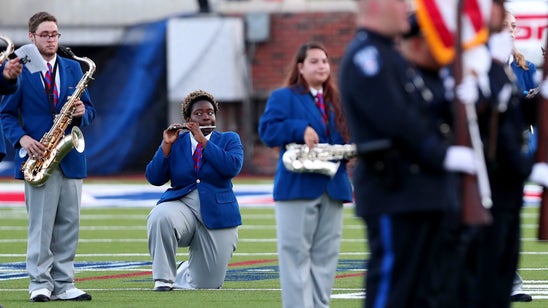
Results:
309 236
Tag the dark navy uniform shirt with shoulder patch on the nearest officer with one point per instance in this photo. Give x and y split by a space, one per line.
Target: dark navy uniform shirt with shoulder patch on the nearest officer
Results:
381 102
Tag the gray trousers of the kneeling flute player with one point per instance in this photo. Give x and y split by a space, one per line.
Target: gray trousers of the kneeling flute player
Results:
178 223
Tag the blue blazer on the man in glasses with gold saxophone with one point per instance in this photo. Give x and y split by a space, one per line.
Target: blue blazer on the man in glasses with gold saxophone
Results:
30 101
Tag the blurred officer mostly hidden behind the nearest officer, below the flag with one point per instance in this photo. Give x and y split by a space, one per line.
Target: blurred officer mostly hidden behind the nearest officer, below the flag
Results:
431 82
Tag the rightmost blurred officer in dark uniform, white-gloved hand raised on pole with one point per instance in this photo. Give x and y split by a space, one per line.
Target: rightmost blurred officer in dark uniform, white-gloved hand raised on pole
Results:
493 256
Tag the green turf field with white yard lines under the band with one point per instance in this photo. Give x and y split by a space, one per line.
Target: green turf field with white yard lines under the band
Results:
113 263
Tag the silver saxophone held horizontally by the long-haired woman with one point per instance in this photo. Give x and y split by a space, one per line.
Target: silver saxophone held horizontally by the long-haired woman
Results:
323 158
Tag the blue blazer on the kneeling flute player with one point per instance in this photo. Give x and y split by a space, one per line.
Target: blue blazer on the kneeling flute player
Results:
222 160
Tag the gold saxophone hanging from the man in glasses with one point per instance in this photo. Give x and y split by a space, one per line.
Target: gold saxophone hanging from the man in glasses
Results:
37 170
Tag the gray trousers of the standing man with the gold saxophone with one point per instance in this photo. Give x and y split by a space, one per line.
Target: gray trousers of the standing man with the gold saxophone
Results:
54 221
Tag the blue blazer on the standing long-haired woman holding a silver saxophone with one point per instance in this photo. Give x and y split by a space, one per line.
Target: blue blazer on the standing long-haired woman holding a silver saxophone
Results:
287 114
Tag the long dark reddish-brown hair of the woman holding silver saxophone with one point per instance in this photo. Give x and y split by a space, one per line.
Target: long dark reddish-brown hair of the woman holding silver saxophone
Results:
295 80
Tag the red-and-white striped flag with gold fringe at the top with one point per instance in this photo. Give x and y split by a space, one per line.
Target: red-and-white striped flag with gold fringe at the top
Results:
438 21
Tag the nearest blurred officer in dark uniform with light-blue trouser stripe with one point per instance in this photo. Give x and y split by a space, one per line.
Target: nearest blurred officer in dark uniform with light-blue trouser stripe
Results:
405 186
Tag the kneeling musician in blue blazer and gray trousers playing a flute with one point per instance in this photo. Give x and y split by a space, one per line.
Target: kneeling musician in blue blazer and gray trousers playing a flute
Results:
199 210
